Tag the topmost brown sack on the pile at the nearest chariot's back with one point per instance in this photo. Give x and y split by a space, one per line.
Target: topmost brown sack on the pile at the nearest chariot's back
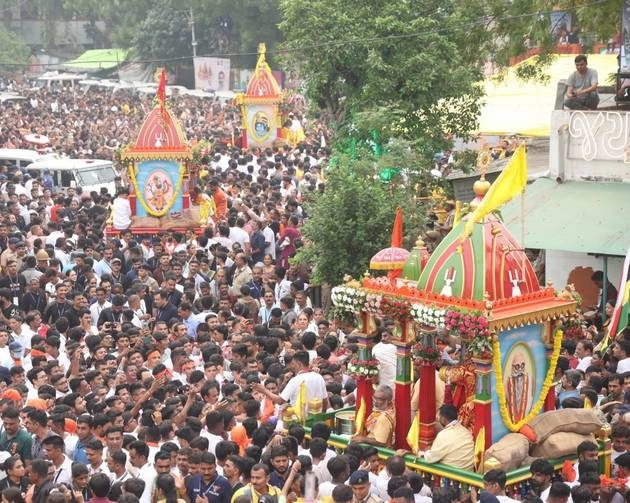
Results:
581 421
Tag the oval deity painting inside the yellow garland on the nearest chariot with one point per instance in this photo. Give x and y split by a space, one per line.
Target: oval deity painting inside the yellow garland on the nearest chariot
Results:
519 379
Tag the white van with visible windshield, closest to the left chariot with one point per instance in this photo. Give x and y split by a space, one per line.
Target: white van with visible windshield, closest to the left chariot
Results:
89 174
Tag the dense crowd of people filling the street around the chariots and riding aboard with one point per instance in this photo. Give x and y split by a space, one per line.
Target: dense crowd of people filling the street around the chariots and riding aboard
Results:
168 368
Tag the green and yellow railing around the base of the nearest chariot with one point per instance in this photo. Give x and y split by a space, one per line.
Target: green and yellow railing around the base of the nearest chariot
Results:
437 475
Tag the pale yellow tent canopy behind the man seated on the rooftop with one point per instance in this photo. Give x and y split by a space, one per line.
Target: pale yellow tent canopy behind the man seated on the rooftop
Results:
516 107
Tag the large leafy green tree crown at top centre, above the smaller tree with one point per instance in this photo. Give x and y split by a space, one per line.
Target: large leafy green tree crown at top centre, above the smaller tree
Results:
381 55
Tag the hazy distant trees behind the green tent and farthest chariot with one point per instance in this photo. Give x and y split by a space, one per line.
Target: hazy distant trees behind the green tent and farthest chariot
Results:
161 29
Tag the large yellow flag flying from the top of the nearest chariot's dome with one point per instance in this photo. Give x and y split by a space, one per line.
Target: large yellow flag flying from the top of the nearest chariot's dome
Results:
510 183
